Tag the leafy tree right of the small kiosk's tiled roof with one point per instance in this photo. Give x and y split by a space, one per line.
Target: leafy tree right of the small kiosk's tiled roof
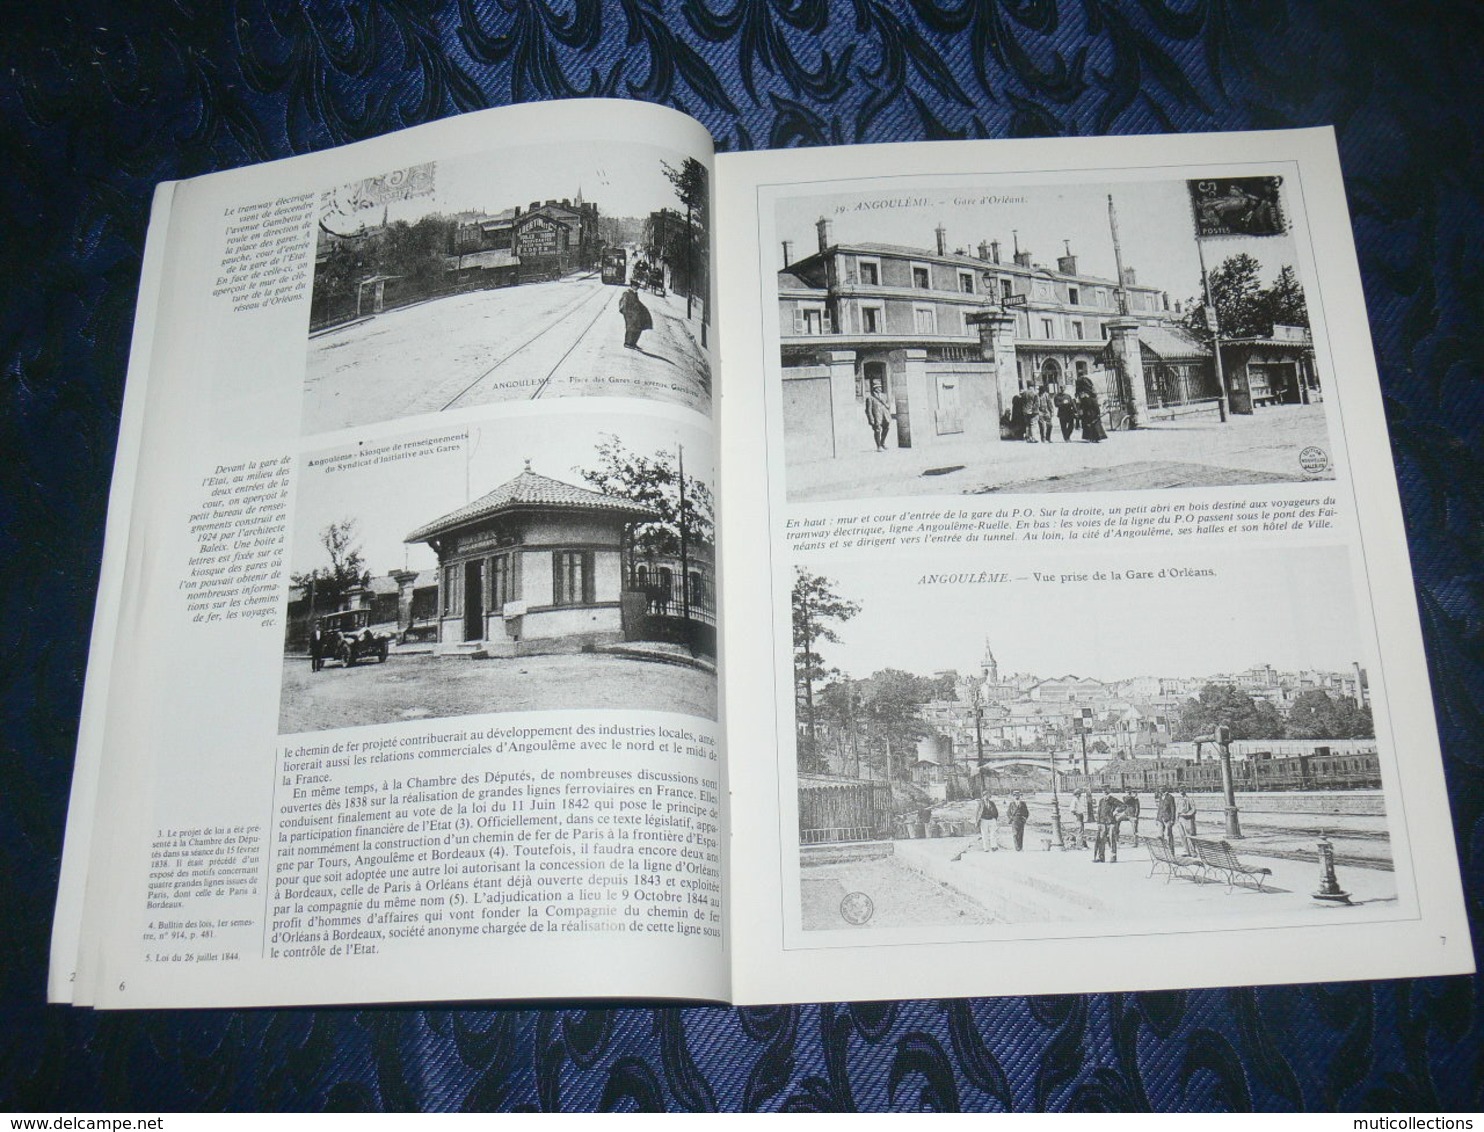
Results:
655 481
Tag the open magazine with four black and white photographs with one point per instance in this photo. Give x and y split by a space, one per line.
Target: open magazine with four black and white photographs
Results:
548 559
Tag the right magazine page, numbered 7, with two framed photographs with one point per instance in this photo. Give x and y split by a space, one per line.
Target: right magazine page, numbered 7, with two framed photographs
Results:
1072 612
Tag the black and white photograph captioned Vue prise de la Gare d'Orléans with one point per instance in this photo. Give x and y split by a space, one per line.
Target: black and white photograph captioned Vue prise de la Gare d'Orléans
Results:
1185 744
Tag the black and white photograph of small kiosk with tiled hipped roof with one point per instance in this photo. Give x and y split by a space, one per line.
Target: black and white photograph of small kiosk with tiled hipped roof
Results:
504 567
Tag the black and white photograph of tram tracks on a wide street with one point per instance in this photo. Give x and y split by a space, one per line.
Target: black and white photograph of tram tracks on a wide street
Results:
520 275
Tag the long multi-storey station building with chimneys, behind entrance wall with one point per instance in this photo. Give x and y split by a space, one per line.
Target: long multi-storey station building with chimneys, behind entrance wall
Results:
951 338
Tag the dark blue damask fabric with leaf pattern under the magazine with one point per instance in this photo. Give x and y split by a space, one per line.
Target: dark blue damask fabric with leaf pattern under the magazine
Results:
99 102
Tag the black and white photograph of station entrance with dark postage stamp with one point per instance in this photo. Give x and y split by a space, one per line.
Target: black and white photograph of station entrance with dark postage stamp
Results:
1041 339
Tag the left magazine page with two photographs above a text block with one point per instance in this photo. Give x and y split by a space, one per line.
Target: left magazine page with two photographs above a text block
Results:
407 668
